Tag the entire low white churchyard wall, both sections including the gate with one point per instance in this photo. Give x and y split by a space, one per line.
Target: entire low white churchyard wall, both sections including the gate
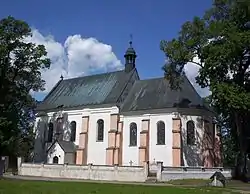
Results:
118 173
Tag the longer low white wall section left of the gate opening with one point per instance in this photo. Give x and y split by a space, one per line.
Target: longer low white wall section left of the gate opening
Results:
88 172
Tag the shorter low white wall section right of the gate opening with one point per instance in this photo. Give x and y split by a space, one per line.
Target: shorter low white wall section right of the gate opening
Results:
178 173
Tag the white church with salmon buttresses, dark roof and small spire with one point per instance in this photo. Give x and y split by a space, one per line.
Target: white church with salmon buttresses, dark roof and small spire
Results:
116 118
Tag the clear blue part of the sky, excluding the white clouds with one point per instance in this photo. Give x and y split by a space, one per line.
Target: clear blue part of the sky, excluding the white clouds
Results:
111 22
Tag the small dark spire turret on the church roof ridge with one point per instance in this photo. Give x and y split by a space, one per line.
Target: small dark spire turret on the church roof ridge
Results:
130 57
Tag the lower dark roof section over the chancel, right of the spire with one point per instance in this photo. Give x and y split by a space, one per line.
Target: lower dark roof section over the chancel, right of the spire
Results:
156 94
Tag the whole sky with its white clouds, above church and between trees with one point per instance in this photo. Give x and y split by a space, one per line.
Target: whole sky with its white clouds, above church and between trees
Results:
85 37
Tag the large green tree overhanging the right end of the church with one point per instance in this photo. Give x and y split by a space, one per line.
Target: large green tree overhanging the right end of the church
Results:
221 41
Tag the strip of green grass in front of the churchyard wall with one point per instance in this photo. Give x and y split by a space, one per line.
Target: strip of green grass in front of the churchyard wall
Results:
43 187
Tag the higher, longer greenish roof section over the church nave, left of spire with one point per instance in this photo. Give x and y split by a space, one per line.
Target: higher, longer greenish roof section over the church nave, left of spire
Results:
89 90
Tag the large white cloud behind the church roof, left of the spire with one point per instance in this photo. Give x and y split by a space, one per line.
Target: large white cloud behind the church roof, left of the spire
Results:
77 56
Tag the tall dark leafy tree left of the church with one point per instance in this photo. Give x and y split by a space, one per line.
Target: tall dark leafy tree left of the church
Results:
21 63
